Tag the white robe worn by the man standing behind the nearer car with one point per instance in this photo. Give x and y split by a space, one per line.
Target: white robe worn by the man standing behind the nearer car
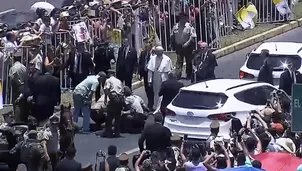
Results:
158 70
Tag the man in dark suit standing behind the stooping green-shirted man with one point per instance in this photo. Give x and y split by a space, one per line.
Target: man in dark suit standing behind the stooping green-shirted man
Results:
80 64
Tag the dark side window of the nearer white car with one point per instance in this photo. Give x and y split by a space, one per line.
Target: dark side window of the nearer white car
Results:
254 96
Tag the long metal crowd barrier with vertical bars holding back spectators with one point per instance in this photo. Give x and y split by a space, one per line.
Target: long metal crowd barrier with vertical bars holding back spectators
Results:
212 22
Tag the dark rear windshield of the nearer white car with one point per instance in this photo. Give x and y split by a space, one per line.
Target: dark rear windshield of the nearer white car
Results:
199 100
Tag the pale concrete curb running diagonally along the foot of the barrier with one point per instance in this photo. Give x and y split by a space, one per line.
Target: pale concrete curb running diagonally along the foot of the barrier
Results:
247 42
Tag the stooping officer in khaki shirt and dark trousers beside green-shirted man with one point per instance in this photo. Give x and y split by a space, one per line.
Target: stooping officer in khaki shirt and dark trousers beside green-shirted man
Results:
114 90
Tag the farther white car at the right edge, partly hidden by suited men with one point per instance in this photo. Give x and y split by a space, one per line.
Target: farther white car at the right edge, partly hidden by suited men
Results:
280 54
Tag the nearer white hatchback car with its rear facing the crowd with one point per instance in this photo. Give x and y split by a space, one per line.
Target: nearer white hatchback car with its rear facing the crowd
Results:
195 107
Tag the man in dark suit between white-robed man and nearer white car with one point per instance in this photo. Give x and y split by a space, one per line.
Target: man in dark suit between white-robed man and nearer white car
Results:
169 89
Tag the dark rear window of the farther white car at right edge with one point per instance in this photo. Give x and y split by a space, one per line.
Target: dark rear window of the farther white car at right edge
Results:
255 61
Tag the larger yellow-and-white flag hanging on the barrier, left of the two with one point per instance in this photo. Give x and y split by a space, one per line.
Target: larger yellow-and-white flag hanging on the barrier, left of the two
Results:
246 15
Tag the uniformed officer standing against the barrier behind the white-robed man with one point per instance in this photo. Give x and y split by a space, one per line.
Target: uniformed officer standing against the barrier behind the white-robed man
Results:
183 41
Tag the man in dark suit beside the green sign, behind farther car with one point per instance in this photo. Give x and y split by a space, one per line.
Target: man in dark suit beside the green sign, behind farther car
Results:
287 79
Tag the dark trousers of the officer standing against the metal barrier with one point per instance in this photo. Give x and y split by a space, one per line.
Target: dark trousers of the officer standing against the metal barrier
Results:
181 54
